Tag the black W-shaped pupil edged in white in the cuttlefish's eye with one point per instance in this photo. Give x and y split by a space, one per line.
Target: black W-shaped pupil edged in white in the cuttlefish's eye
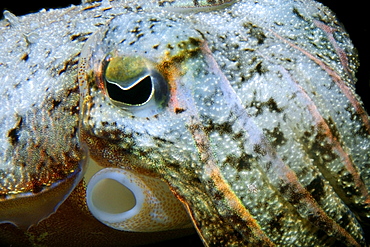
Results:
136 95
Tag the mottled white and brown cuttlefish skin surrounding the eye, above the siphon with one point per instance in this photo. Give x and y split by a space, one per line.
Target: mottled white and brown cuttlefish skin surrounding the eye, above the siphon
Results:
261 135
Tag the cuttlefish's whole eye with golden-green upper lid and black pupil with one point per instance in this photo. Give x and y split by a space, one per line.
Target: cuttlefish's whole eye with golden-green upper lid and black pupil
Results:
134 84
